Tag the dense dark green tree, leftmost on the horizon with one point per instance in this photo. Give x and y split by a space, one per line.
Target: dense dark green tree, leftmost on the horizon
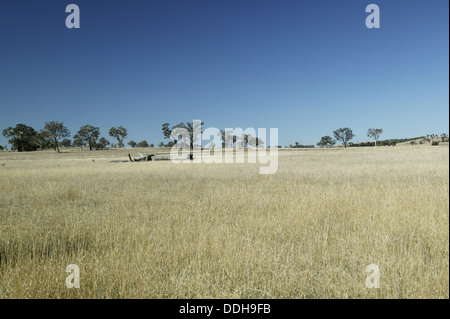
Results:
21 137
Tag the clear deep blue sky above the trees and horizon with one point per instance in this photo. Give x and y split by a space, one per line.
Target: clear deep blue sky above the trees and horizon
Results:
305 67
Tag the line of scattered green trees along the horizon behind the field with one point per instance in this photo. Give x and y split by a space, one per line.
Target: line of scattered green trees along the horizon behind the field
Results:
55 135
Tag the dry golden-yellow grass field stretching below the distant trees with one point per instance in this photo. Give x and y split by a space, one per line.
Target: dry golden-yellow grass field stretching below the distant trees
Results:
165 230
